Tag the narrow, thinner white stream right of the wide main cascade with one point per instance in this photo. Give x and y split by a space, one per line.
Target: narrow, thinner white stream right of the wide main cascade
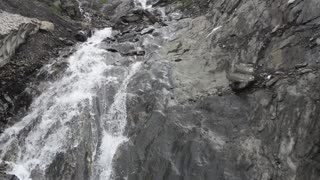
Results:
113 125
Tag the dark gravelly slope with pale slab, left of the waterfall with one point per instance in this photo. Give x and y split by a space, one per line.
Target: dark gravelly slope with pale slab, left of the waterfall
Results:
20 71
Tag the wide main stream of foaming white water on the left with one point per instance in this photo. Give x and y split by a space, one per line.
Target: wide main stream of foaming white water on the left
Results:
53 111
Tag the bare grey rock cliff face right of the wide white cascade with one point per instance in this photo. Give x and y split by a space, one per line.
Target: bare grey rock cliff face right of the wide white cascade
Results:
227 90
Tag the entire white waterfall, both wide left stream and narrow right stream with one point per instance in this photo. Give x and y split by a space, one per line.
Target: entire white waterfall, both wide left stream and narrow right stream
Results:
48 129
